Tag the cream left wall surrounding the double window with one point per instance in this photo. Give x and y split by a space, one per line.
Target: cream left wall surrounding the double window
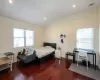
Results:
6 34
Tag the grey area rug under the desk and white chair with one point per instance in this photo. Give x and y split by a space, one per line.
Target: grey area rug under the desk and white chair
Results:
92 73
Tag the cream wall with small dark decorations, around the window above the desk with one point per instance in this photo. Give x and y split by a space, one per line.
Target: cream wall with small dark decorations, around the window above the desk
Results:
70 25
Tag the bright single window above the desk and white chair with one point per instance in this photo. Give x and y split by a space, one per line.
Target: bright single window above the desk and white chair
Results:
85 38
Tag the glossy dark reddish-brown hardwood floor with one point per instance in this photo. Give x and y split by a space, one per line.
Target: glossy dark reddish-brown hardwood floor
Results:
30 72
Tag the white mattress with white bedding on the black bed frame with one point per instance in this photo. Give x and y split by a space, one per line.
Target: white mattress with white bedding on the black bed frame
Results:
43 51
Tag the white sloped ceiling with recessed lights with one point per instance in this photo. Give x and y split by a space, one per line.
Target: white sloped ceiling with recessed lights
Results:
34 11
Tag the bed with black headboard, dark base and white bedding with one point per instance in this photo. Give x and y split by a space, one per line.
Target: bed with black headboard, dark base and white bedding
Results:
46 52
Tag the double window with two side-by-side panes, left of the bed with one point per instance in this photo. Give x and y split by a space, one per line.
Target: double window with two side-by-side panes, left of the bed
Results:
23 37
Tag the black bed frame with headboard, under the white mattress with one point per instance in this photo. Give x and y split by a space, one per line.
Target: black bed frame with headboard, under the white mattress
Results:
49 56
